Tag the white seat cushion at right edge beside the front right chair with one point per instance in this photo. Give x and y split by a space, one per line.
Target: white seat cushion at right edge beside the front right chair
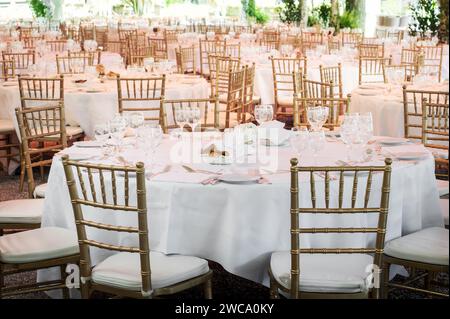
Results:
428 246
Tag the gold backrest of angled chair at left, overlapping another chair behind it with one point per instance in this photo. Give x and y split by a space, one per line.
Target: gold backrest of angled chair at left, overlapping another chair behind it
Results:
37 126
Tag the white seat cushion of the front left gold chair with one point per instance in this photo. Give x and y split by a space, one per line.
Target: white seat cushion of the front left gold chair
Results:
123 270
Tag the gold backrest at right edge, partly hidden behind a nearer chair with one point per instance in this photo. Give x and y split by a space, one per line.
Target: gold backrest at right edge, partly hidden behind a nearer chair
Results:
412 109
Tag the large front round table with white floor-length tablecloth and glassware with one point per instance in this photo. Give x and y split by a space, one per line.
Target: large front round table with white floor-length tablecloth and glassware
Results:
239 226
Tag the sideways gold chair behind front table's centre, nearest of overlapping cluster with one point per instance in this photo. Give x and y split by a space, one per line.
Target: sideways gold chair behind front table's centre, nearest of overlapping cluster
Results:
232 114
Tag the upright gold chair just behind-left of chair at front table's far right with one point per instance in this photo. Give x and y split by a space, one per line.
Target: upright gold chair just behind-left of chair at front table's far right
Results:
284 82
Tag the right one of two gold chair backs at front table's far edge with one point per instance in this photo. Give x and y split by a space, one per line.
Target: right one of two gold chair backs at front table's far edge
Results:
337 107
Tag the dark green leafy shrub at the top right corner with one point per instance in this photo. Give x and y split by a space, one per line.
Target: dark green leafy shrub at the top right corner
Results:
425 17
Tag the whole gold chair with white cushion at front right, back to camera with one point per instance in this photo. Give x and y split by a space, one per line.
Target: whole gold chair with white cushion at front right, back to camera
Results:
334 272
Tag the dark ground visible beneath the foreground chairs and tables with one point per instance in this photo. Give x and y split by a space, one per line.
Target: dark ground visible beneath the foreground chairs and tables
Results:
225 285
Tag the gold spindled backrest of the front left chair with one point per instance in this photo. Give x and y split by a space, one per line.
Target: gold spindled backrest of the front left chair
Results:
104 183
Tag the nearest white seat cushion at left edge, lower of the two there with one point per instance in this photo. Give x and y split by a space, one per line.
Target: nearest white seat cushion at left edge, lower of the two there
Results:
38 245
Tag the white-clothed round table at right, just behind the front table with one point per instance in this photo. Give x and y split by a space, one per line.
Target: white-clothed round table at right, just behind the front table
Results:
386 105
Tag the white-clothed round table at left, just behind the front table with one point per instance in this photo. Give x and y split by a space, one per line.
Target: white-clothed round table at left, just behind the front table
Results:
96 103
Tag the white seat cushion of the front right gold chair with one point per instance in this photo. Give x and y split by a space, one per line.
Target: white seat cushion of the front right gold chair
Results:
324 273
